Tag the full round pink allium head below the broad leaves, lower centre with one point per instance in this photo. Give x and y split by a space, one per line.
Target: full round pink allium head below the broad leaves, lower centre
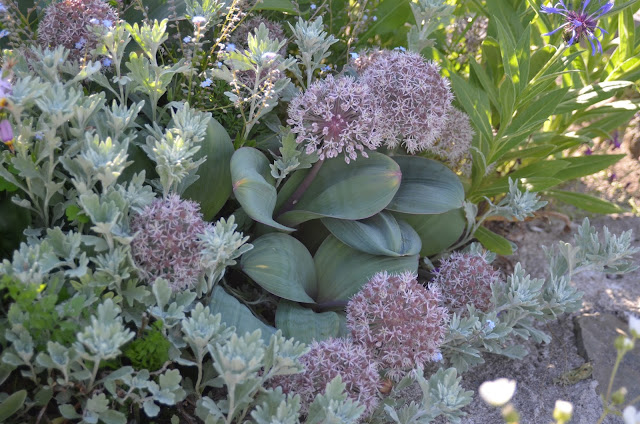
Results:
399 321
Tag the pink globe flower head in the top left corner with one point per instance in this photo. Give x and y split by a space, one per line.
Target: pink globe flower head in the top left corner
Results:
68 23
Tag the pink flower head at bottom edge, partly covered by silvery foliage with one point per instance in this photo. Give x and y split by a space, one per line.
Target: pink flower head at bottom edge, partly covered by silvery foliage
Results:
325 361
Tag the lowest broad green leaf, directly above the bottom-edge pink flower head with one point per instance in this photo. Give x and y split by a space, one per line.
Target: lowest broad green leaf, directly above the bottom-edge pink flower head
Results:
304 325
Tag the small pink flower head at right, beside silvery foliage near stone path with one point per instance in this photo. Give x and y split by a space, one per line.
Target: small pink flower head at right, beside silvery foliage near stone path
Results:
466 279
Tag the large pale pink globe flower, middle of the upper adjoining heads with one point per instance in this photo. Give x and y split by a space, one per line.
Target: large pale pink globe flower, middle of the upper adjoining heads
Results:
414 98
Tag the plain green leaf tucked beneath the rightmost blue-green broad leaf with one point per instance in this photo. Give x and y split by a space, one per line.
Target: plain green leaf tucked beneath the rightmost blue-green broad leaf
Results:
437 232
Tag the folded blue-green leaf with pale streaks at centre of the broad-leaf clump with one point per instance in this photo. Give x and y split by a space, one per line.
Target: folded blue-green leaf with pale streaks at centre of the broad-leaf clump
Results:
381 234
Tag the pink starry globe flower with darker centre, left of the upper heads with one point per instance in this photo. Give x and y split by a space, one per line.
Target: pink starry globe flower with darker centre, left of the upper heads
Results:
336 115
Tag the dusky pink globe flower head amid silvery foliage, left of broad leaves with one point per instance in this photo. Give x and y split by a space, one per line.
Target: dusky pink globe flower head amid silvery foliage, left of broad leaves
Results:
166 243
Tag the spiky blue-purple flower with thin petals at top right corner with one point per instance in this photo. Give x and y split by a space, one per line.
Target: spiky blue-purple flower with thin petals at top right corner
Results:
579 23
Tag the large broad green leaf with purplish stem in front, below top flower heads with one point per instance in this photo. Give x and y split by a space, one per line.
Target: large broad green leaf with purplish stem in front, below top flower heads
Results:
356 190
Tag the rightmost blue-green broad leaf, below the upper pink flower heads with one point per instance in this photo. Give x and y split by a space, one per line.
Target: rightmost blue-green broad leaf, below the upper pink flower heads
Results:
428 187
